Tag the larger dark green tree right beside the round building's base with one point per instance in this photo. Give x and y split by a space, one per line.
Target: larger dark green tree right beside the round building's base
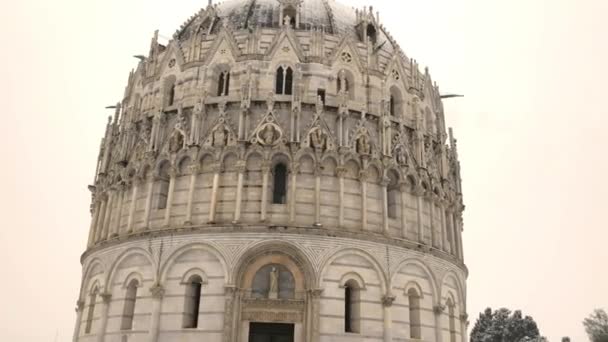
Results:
504 326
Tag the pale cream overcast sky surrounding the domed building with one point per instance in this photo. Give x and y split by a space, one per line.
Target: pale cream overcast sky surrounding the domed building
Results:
530 132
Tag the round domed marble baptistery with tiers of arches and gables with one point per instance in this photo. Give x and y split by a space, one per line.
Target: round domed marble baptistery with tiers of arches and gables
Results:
279 170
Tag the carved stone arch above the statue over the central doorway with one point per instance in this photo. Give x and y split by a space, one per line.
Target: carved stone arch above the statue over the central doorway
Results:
263 249
